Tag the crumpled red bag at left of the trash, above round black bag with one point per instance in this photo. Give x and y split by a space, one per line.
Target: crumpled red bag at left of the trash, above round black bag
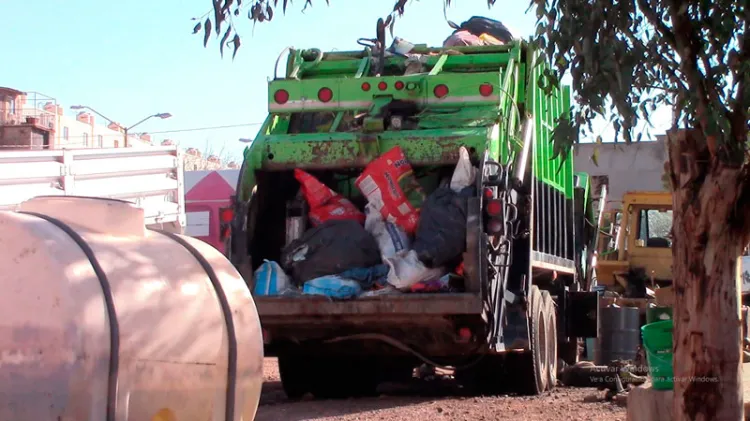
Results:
325 204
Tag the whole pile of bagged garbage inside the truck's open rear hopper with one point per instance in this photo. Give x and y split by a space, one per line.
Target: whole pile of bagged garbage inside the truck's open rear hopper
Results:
402 241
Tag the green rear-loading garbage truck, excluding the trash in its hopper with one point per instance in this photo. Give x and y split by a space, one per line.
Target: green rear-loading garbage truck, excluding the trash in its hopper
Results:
523 301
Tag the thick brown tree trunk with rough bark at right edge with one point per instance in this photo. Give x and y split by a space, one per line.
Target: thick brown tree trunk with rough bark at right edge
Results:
708 238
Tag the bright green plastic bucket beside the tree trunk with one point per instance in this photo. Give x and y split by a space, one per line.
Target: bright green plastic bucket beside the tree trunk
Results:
657 341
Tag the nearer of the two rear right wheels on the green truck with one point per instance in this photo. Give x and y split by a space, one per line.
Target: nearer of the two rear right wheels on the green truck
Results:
532 366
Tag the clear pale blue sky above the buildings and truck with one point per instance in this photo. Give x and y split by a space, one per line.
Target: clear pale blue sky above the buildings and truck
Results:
133 58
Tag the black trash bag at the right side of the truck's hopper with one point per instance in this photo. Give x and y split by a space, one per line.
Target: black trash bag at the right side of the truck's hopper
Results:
441 234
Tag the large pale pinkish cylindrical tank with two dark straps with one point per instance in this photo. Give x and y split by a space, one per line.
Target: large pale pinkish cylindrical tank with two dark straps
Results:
103 319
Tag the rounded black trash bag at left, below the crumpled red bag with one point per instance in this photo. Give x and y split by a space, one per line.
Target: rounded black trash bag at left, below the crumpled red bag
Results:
329 249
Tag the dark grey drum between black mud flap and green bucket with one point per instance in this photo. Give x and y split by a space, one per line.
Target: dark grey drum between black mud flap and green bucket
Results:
619 334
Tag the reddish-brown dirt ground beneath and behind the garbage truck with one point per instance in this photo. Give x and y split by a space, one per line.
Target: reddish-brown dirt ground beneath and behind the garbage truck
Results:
436 401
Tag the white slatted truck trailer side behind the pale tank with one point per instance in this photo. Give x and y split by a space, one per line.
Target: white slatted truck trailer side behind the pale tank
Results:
152 178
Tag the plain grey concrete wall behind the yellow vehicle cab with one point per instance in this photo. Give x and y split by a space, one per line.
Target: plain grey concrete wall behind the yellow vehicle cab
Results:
637 166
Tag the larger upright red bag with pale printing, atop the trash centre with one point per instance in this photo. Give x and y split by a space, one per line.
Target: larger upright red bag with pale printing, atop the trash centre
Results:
389 184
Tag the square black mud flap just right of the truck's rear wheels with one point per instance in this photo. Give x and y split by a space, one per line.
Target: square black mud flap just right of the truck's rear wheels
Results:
580 310
